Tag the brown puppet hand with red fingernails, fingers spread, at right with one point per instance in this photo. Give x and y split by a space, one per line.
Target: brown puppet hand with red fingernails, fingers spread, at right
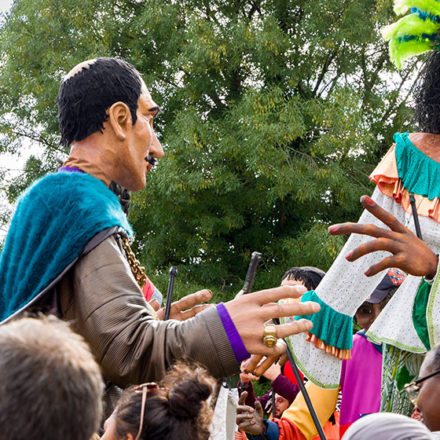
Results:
409 253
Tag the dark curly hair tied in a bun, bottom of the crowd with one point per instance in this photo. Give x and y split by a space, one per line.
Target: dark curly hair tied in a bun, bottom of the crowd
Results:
177 411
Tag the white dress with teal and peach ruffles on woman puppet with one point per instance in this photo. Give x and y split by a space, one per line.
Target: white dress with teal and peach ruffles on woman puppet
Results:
411 320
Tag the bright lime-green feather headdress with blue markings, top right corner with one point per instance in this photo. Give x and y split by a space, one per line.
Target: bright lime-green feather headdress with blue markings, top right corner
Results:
415 33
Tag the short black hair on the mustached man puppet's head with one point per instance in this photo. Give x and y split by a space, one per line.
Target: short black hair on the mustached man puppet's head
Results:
84 97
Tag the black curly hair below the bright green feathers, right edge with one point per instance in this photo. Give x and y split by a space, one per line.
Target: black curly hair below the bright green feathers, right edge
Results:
427 96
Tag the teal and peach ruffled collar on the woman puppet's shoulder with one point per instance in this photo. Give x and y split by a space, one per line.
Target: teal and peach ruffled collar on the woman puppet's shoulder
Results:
386 176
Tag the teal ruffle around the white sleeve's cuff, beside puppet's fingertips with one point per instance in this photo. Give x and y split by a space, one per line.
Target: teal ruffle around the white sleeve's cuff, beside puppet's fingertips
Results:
332 327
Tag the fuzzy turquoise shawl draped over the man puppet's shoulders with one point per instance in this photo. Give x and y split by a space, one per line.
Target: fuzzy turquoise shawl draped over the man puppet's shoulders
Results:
55 218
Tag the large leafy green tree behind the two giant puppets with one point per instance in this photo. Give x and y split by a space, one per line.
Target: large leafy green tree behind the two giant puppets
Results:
274 113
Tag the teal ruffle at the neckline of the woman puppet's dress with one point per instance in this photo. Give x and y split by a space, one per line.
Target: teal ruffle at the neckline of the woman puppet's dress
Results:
419 173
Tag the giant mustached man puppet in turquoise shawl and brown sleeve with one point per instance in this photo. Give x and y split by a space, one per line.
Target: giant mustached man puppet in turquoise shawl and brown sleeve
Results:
63 251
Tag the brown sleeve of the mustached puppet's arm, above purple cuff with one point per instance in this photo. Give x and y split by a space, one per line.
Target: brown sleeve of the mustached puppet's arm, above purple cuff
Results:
101 298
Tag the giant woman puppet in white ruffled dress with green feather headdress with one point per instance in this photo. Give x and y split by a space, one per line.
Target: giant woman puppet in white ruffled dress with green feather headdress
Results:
410 324
